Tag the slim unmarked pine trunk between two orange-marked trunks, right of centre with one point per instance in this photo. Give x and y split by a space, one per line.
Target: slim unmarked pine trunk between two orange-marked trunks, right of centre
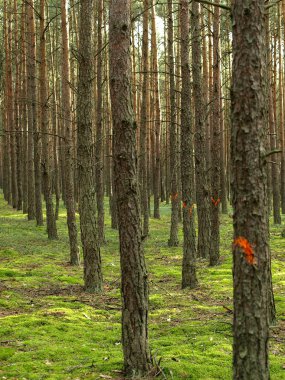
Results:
202 181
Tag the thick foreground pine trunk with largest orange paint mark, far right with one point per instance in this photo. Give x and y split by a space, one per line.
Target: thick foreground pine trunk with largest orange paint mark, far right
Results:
251 279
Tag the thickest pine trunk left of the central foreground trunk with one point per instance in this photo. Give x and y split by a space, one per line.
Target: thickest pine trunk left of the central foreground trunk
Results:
85 154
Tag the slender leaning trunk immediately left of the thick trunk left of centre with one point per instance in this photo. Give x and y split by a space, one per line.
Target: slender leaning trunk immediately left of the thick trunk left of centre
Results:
67 120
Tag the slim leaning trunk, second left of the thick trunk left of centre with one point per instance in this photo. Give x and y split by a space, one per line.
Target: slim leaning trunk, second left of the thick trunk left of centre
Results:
47 188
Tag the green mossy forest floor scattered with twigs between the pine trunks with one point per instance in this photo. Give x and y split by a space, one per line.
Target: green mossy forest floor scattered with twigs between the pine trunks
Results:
51 329
